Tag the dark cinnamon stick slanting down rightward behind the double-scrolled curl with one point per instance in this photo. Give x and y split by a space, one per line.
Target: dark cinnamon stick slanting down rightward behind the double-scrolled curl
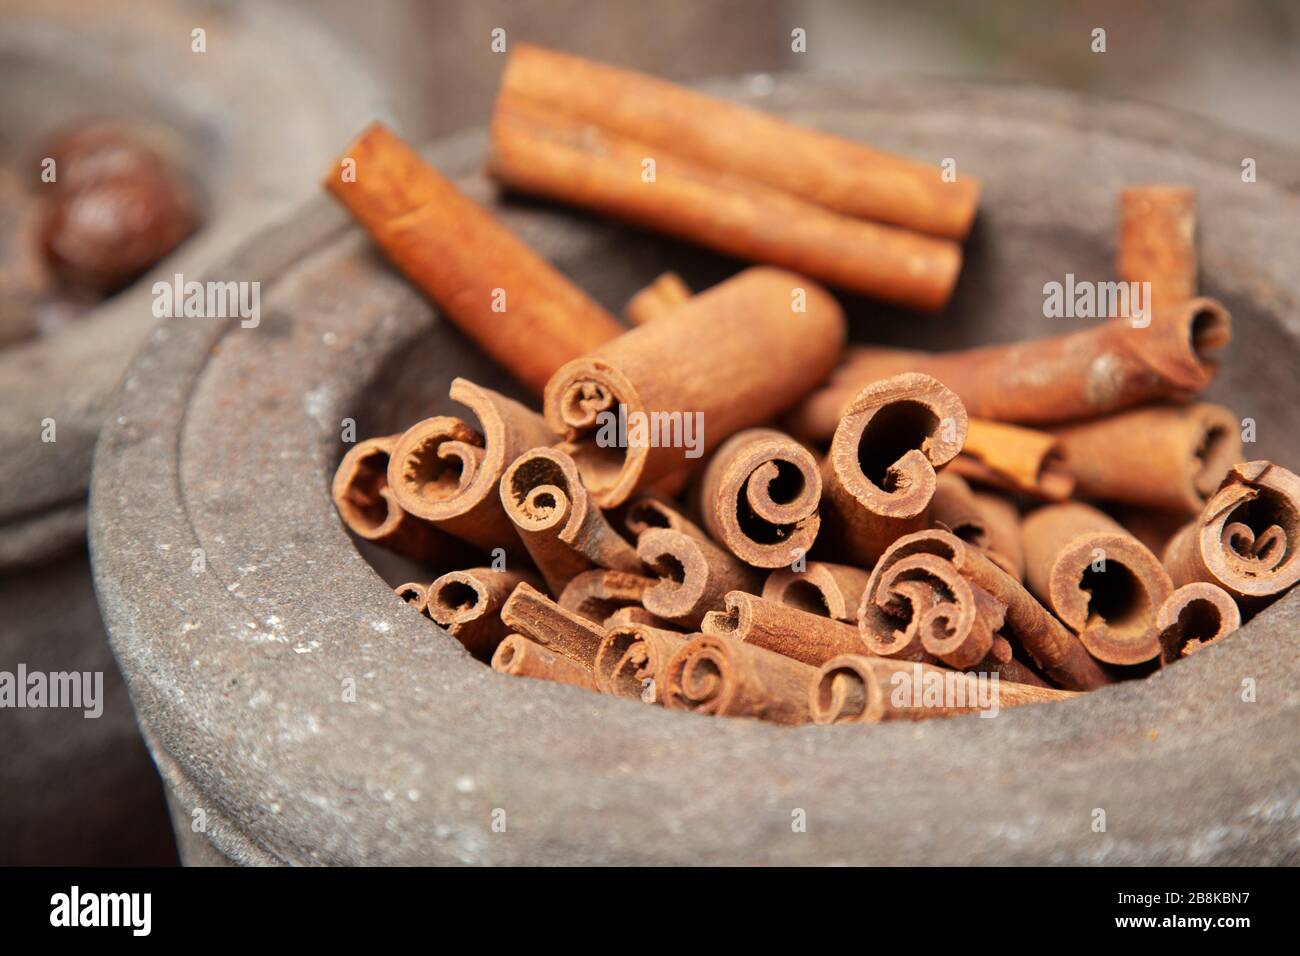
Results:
1054 648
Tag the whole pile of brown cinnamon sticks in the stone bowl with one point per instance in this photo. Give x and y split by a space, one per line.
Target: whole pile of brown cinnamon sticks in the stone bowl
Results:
723 508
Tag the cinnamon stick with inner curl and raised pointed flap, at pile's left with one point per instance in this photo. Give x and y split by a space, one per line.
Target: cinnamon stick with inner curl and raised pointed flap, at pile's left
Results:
448 473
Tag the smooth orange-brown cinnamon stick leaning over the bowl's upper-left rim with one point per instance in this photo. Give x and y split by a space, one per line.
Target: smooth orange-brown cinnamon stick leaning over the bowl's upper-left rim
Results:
510 301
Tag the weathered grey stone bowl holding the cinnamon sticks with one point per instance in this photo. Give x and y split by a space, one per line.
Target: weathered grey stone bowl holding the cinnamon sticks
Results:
224 442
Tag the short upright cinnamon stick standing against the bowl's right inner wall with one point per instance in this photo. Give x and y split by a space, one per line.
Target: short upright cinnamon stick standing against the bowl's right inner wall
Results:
1158 243
